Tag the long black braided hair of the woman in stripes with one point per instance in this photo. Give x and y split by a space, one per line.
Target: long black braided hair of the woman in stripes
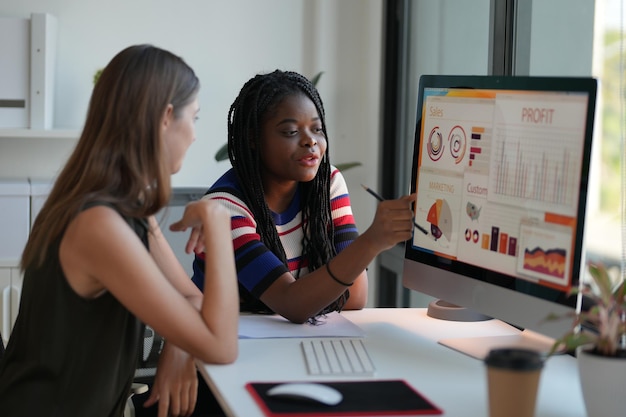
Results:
258 98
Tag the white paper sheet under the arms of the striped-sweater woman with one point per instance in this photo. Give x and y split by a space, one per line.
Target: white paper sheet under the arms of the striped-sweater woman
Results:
258 326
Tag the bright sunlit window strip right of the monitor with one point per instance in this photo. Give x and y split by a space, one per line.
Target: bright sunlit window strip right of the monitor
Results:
607 223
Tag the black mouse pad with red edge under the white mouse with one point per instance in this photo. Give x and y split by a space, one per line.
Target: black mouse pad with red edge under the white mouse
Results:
360 398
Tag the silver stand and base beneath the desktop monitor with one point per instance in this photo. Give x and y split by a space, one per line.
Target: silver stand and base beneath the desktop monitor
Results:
478 347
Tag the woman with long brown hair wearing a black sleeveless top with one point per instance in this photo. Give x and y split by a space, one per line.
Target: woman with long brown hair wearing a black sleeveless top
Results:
97 266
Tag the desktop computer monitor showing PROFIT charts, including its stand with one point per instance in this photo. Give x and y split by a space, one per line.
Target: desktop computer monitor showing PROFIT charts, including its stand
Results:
500 172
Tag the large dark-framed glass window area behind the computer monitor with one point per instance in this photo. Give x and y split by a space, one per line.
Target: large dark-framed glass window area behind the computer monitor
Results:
508 37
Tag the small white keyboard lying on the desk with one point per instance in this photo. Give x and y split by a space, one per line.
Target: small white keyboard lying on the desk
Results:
337 356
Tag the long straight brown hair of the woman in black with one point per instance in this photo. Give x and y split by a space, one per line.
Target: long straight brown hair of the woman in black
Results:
119 157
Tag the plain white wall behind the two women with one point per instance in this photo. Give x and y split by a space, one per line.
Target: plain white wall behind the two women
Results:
226 42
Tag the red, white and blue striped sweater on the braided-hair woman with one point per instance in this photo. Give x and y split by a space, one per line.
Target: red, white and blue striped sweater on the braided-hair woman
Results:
257 266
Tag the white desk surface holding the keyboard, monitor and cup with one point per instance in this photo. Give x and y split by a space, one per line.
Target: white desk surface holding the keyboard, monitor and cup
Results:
402 345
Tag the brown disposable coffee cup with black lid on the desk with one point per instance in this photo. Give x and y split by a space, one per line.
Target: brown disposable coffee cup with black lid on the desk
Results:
513 381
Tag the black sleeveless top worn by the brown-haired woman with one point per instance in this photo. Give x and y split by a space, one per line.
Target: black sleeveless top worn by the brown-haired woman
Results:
67 355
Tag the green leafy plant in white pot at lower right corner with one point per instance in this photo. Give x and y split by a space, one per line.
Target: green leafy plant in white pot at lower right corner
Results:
598 336
